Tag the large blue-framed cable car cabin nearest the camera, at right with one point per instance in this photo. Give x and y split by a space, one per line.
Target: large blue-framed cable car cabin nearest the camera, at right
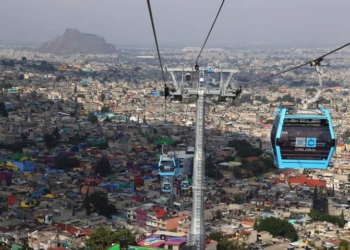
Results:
304 139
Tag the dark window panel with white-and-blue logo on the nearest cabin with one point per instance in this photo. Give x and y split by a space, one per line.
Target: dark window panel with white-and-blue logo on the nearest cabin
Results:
305 139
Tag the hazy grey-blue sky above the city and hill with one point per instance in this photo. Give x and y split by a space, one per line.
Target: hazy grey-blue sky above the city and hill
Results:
179 22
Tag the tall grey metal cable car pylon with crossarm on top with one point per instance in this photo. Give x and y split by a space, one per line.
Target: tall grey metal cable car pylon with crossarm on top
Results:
226 91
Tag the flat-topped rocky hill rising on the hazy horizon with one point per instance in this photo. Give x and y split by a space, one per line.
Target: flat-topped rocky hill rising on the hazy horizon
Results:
73 41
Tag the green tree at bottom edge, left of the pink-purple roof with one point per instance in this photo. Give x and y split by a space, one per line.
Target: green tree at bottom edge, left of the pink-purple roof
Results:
104 238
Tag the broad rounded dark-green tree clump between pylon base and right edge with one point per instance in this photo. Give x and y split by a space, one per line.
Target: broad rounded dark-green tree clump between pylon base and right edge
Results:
277 227
